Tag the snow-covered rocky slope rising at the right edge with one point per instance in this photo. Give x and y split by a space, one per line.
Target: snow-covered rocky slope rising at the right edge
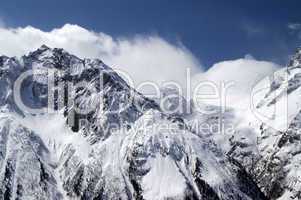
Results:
272 153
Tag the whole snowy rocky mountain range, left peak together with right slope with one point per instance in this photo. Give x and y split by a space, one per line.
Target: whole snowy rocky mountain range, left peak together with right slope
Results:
128 146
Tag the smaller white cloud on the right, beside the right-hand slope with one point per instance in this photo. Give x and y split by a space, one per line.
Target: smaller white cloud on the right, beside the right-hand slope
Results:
244 73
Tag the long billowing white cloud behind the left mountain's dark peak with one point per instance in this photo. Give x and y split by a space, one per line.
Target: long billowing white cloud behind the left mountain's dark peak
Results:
142 57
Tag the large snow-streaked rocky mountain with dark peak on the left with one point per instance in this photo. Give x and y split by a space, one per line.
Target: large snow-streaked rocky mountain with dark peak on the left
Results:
126 147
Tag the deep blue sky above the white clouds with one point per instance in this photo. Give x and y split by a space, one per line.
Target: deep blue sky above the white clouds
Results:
213 30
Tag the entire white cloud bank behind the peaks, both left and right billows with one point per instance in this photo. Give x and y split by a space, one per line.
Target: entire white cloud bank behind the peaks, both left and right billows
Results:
144 58
